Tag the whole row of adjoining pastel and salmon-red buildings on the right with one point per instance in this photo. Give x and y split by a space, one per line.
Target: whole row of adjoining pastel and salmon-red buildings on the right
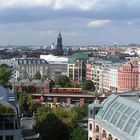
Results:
114 77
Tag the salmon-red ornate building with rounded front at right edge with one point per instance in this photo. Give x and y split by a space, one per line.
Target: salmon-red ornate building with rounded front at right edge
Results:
128 76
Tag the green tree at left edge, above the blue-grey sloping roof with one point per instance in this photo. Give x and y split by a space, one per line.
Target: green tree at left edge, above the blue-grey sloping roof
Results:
5 74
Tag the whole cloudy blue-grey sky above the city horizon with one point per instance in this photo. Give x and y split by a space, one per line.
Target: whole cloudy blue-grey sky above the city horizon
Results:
81 22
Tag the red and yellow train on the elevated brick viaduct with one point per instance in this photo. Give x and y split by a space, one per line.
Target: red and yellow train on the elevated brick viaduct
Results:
67 90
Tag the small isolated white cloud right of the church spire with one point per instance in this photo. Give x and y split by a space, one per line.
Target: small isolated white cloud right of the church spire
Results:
98 23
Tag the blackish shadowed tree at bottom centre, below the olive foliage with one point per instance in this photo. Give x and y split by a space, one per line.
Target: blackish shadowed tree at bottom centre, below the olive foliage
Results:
52 128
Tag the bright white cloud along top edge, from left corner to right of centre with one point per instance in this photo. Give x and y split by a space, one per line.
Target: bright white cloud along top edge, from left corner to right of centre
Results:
53 4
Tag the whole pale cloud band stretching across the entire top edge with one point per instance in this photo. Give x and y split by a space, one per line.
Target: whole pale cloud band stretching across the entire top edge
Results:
98 5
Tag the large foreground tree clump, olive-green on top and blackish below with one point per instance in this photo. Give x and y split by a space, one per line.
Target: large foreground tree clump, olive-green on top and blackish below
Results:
55 124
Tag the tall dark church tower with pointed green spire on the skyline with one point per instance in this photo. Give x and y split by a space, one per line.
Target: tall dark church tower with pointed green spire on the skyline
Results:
59 50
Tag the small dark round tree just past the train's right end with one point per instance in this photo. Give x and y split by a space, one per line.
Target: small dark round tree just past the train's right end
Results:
88 85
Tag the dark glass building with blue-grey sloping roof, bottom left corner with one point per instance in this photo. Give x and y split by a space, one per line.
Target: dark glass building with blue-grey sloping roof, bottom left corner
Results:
9 124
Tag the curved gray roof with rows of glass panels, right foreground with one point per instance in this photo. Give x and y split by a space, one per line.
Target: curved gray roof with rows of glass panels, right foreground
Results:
121 117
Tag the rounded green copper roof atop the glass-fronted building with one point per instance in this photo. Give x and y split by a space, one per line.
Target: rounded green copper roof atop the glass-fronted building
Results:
77 56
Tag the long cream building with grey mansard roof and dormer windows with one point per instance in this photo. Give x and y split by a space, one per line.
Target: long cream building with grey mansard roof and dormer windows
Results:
27 68
